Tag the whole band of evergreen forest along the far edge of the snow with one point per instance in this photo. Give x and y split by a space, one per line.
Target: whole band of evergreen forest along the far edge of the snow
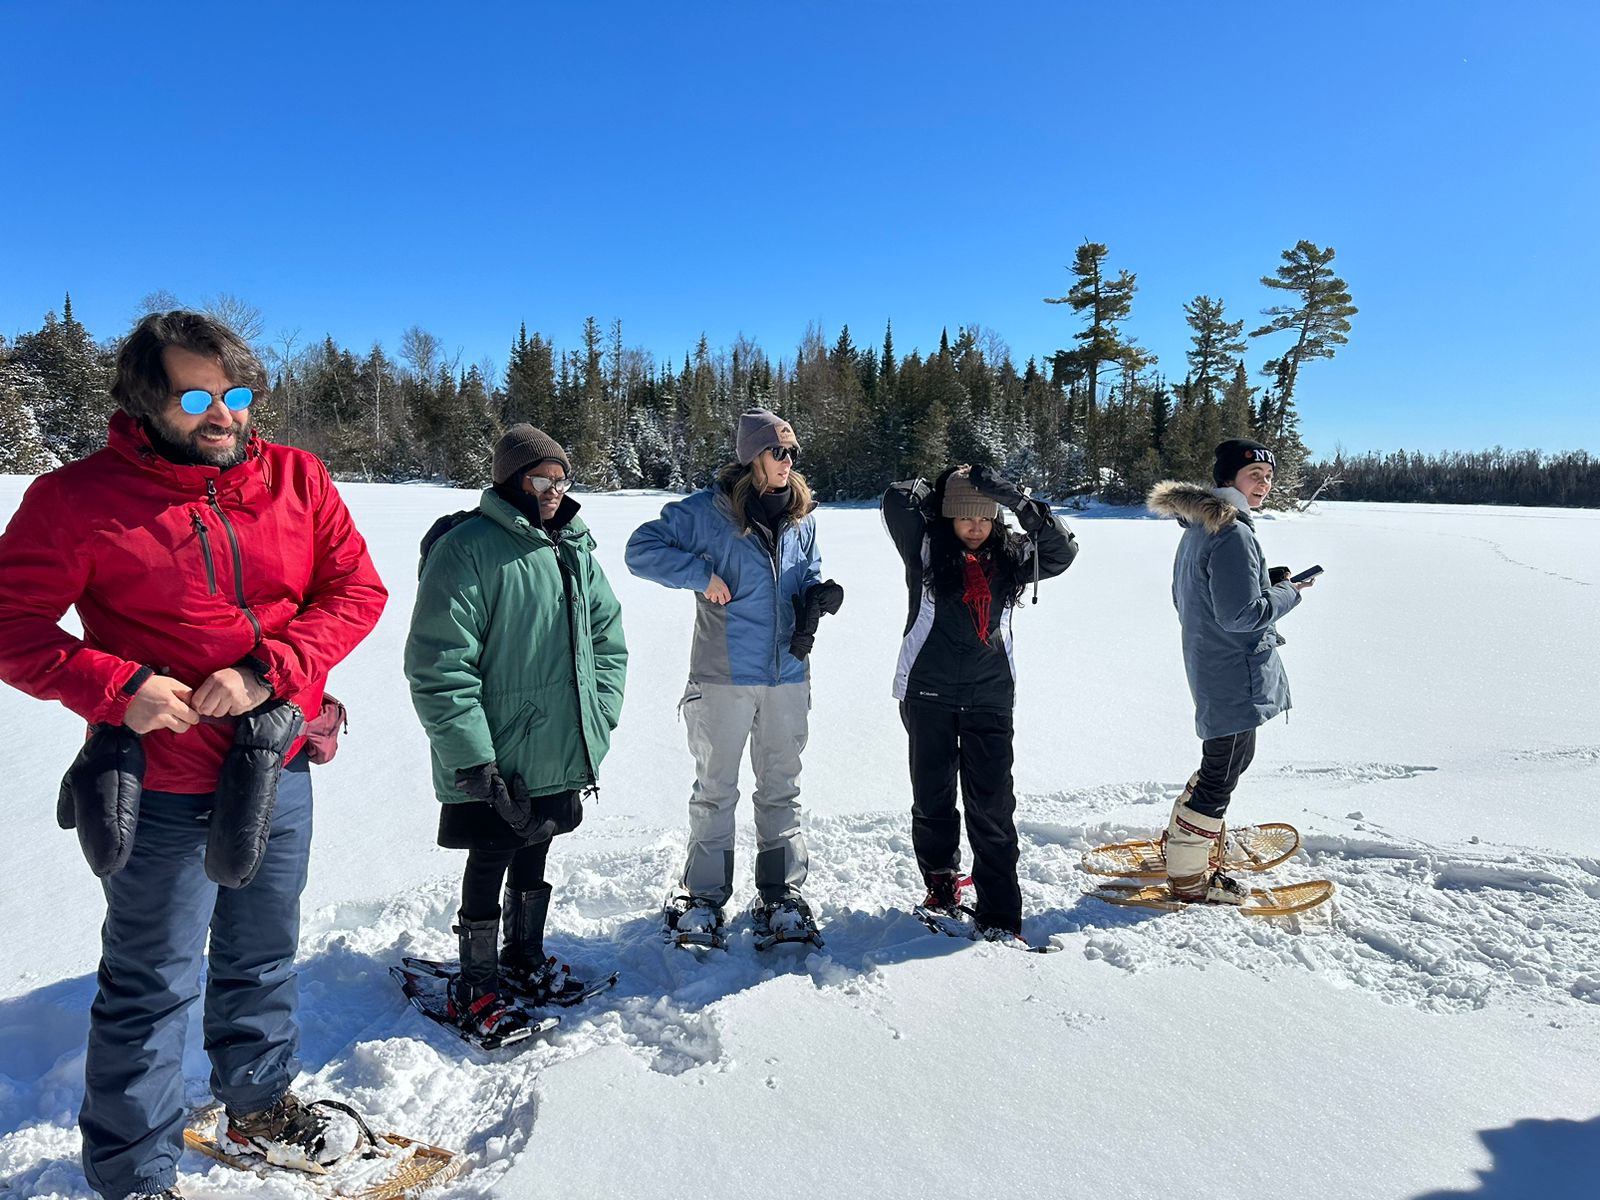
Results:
1095 418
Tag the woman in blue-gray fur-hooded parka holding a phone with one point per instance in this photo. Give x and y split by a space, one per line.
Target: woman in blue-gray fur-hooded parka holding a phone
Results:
1228 607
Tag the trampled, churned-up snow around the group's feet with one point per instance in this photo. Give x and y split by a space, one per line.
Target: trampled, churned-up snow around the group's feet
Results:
1439 929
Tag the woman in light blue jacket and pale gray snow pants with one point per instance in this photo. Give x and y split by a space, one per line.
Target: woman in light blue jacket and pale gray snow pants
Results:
748 546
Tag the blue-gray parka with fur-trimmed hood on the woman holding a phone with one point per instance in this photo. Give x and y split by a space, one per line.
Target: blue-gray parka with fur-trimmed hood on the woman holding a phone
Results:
1226 609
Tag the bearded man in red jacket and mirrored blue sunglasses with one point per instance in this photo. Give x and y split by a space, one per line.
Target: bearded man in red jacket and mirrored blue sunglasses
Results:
212 572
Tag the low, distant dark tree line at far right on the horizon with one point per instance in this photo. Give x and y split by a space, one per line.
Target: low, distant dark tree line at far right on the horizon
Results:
1484 478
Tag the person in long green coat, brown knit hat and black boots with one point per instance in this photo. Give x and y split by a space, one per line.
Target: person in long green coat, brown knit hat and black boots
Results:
516 662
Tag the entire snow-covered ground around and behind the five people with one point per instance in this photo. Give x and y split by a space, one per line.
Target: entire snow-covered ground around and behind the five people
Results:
1433 1033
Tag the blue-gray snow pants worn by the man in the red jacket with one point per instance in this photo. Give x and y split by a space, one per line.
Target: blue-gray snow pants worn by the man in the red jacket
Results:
159 911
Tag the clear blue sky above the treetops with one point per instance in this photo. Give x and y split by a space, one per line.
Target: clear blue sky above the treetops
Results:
754 167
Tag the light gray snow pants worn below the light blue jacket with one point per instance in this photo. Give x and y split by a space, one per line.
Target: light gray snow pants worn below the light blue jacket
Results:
721 719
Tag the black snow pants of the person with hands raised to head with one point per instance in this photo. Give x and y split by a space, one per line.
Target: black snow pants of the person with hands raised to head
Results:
978 746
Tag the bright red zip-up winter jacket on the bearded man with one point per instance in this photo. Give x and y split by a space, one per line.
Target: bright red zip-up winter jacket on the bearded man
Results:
186 570
